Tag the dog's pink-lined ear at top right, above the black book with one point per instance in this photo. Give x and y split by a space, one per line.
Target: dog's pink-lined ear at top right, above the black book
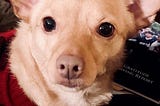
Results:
144 11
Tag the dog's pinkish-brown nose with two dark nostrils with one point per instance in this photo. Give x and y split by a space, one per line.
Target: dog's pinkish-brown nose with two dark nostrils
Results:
69 66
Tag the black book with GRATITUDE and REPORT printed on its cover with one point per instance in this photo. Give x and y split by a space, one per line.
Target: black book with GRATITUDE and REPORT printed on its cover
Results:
140 73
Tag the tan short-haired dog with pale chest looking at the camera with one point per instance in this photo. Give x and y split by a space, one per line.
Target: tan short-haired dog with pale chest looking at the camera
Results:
66 51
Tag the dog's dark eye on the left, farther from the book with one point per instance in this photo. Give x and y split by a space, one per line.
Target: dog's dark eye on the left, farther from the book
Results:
49 24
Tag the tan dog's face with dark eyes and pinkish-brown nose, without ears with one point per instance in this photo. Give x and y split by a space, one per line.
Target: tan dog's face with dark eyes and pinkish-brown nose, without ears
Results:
72 43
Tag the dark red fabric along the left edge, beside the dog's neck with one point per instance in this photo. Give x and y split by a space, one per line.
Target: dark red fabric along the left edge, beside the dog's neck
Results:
10 92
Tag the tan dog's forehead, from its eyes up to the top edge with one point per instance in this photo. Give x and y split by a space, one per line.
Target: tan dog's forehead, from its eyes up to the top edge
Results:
88 13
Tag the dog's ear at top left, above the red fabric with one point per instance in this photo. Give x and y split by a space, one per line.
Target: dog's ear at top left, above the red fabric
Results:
22 8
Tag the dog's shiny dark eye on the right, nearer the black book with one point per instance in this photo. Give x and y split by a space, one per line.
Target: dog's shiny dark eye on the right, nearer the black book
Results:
106 29
